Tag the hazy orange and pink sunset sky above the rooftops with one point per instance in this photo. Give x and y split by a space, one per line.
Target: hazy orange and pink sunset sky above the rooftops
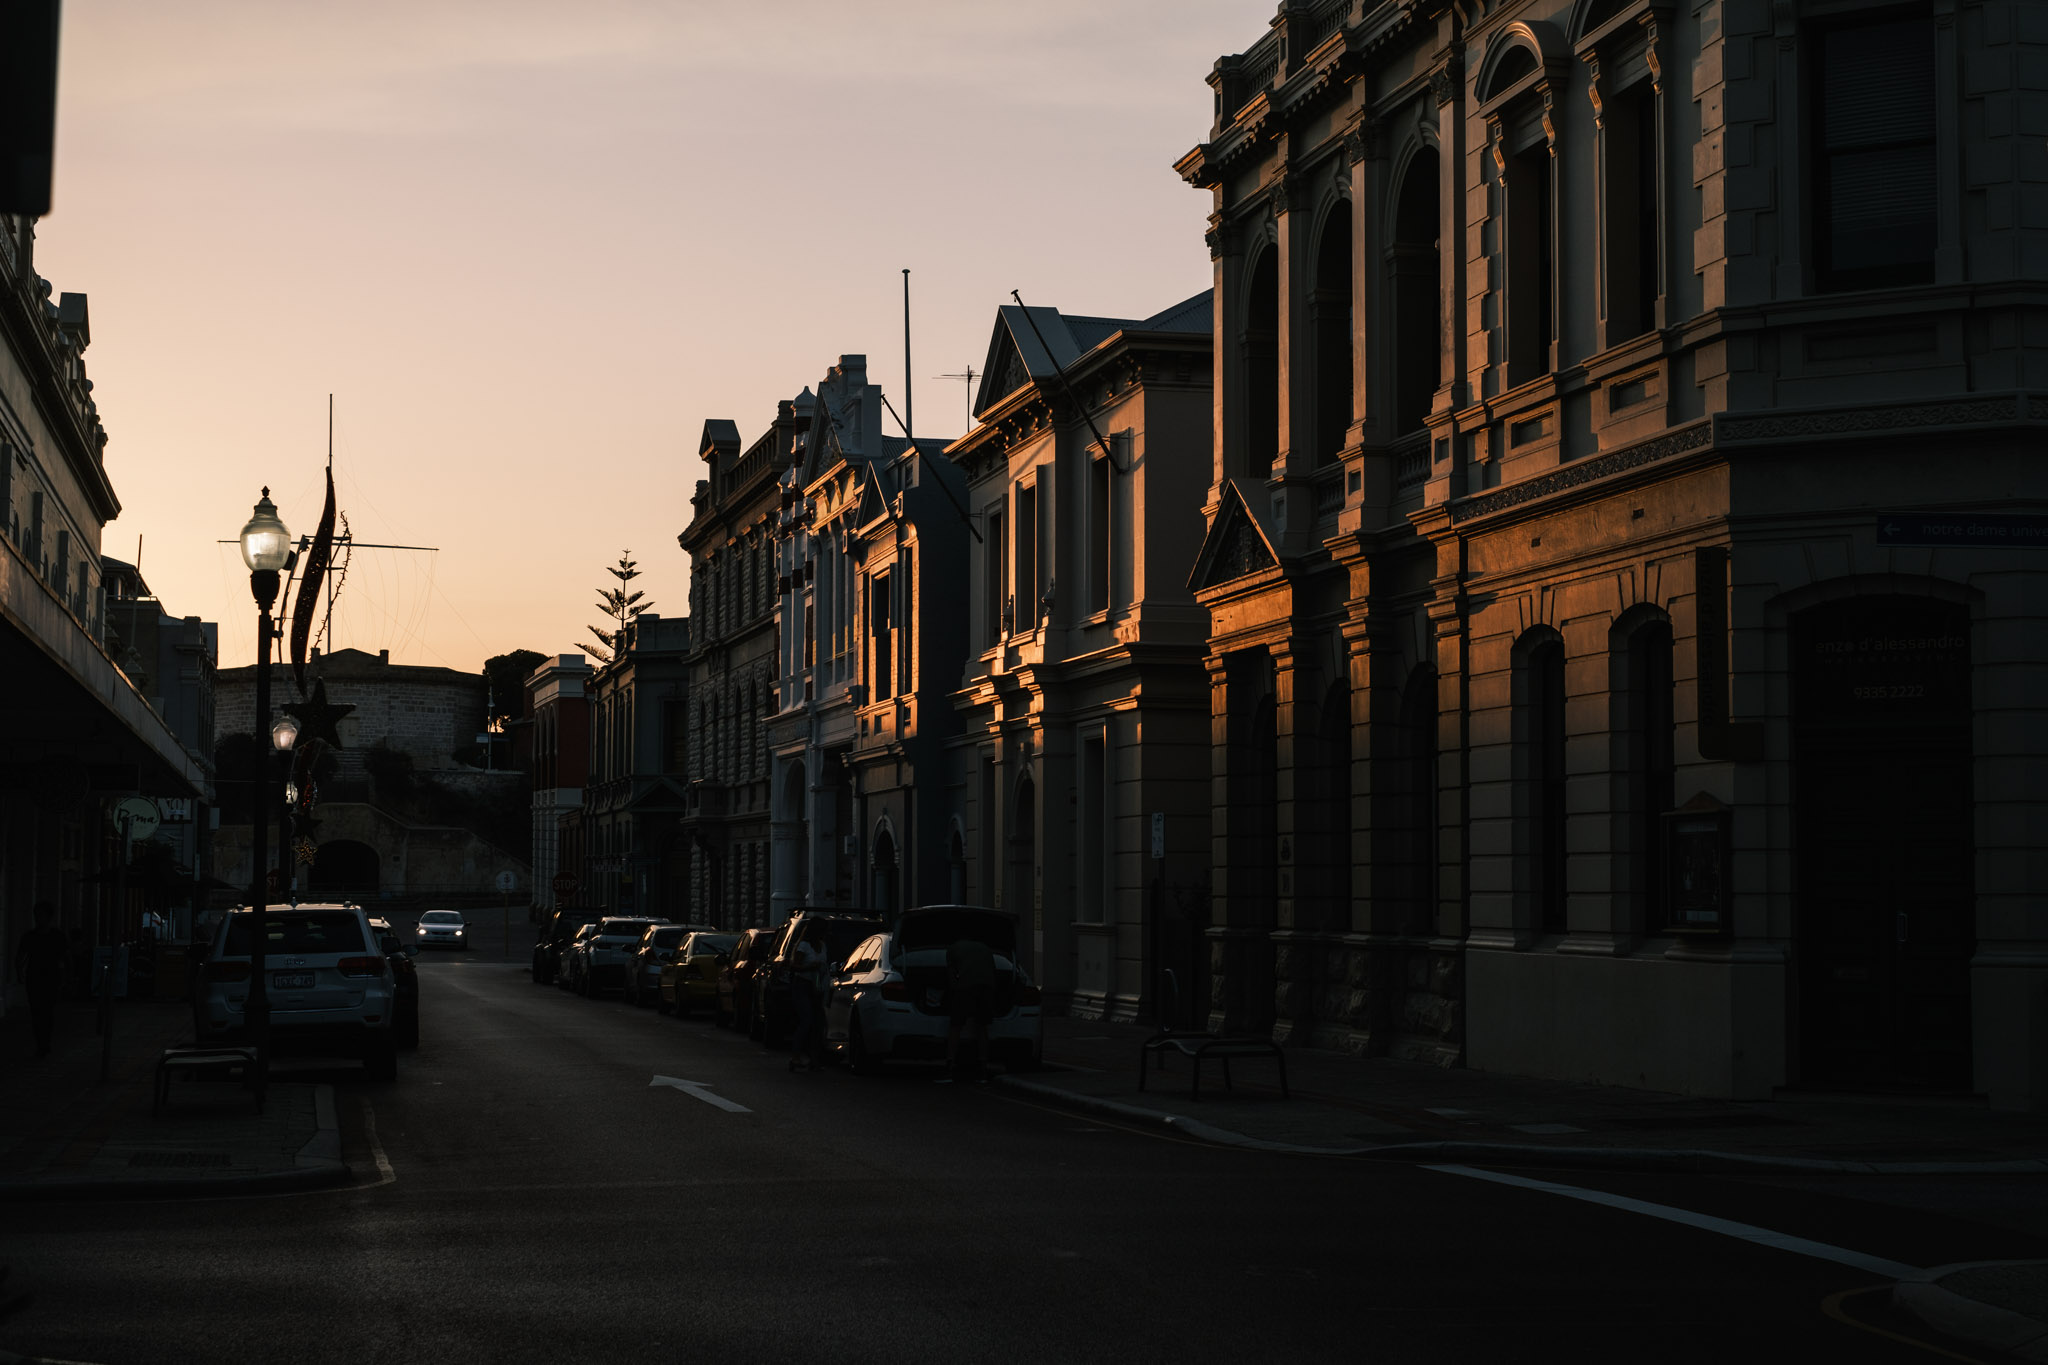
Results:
531 249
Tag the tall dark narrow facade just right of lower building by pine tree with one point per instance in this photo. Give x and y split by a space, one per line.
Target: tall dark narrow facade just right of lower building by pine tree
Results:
732 668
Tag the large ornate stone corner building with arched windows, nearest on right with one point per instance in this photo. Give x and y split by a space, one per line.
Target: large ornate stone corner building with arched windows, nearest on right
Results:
1625 627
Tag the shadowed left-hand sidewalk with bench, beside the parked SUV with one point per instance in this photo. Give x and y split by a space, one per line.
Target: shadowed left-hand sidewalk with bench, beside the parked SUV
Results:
65 1133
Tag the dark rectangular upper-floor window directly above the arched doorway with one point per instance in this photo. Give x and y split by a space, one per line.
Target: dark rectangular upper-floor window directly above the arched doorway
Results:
1875 155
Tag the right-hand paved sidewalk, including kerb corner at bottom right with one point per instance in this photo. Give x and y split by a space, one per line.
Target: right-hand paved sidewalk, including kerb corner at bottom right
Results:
1385 1110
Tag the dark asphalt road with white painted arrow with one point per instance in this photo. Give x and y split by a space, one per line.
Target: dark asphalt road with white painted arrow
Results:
531 1194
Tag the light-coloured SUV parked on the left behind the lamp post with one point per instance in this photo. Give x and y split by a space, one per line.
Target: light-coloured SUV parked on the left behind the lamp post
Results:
331 985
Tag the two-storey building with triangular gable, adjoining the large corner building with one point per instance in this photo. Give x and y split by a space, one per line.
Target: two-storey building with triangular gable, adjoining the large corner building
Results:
1084 711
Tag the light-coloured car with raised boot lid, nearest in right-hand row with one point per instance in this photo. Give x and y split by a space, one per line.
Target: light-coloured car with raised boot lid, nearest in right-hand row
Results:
890 1000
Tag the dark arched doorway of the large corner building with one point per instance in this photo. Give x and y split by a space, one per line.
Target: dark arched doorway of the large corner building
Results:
1885 908
